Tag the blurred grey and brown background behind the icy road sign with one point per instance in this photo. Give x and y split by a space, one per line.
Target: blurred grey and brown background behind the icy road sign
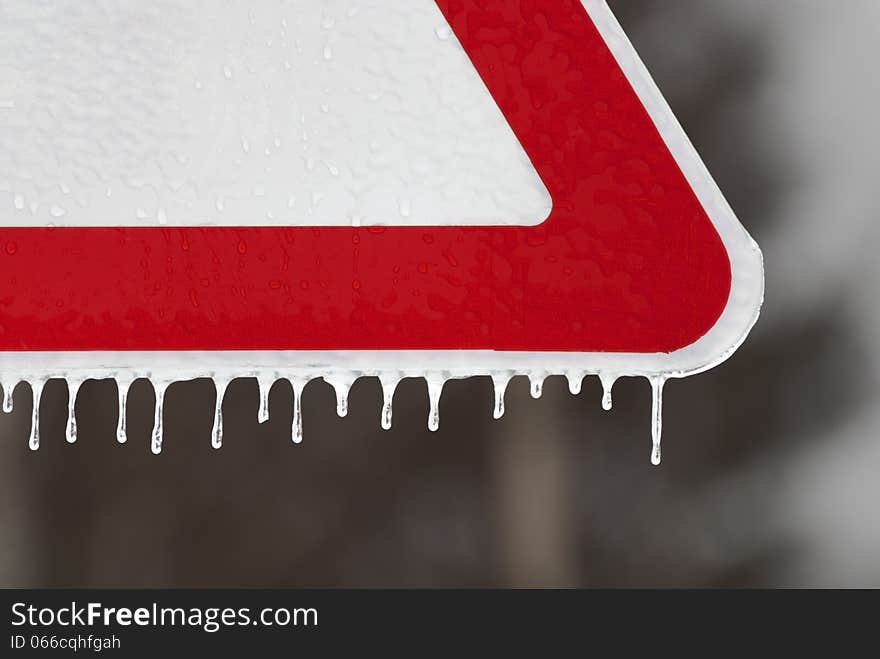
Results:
770 461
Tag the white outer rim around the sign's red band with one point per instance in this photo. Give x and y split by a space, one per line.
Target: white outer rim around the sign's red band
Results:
722 340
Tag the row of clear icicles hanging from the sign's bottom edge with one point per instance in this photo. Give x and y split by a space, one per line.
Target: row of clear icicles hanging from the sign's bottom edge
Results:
435 389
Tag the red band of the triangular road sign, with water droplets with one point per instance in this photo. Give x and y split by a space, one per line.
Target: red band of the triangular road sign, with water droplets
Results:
628 261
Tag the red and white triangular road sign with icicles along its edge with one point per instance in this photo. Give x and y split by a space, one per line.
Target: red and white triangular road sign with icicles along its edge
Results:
395 188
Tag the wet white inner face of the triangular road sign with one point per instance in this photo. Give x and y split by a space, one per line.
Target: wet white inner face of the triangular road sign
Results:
251 113
